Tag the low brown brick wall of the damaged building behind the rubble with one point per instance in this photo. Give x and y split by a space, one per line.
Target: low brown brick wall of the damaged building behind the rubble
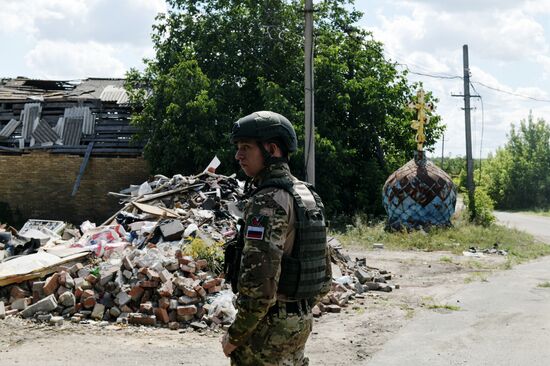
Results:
39 185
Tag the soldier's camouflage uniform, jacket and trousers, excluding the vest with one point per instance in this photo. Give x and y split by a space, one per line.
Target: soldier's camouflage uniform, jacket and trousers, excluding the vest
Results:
264 336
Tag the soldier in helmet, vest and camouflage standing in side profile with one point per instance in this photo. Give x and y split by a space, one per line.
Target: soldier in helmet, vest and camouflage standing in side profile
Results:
284 267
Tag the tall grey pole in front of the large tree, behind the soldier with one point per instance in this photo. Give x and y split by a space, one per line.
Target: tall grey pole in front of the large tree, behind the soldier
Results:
309 151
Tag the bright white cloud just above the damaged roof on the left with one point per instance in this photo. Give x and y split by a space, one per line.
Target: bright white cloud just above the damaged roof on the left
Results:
64 60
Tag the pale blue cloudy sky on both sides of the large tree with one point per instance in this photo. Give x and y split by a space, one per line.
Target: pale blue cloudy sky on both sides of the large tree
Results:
509 47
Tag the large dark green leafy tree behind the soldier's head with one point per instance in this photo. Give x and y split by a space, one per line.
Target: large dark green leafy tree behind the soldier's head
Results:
218 60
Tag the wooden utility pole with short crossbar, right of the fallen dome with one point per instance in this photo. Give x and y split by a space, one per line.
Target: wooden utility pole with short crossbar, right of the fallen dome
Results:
469 161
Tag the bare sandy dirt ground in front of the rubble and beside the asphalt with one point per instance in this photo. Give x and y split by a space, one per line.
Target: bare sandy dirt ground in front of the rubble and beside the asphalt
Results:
348 338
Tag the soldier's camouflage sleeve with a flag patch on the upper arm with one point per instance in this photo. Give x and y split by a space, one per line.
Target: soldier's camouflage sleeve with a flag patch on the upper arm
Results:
265 233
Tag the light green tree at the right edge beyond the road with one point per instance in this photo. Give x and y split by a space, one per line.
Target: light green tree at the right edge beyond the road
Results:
517 176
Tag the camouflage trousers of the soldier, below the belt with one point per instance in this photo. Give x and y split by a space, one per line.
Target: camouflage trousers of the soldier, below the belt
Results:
279 340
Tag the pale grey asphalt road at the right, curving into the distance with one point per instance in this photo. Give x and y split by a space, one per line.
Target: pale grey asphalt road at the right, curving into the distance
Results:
504 321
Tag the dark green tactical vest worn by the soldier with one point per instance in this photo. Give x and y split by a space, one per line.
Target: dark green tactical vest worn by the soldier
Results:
303 272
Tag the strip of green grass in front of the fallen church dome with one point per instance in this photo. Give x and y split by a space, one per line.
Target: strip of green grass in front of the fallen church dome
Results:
463 235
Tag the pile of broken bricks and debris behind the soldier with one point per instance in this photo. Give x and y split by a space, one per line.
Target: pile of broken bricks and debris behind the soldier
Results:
157 261
